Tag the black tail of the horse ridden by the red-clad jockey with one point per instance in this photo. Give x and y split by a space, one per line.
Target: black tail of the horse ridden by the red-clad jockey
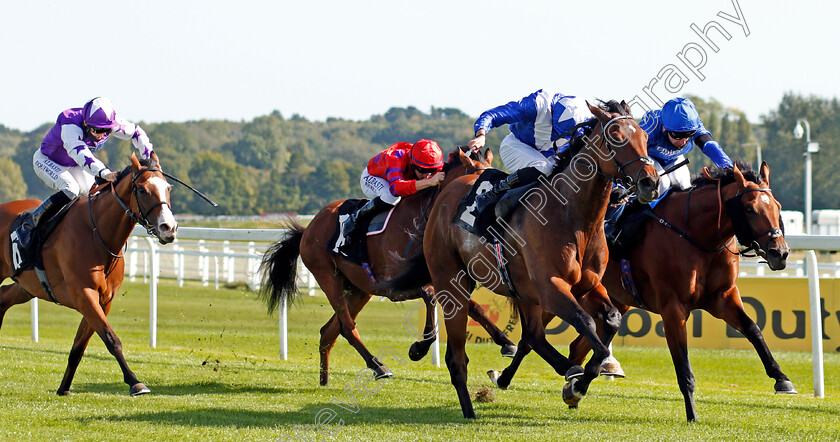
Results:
279 268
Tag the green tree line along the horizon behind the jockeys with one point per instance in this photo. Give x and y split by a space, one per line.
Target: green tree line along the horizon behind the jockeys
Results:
273 164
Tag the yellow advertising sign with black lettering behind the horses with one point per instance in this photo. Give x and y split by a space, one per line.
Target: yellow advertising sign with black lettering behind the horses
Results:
779 306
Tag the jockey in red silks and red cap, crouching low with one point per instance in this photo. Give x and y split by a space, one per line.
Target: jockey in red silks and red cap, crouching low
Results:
400 170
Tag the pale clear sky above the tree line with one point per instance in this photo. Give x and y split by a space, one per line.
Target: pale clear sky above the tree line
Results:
189 60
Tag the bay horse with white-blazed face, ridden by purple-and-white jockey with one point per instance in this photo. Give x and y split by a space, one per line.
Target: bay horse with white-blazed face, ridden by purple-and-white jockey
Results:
81 256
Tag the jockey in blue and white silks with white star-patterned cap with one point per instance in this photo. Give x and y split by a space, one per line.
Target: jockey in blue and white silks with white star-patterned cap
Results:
540 128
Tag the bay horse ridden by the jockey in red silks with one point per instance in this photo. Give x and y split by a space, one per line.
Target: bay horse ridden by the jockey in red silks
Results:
347 285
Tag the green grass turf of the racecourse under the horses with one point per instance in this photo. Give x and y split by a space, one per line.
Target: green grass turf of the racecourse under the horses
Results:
216 374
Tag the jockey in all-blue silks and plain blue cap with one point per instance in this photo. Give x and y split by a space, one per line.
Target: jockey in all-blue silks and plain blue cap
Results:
672 133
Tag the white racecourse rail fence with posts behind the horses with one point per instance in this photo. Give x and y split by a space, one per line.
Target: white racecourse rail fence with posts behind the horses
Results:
233 256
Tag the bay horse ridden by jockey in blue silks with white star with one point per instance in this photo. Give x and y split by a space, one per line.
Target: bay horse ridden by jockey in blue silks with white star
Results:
555 249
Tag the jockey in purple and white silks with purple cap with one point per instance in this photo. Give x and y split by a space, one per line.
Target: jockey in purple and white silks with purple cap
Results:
65 161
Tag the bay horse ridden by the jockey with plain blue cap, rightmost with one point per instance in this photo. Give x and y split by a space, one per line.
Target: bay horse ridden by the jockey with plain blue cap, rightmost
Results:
674 276
